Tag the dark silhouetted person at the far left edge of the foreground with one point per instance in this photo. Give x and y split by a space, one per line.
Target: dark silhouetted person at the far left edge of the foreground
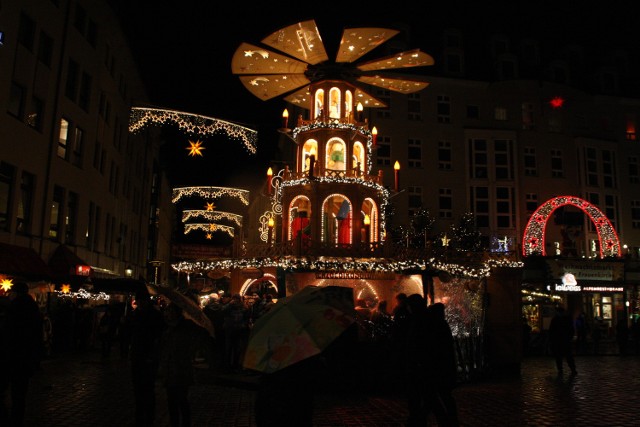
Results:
22 342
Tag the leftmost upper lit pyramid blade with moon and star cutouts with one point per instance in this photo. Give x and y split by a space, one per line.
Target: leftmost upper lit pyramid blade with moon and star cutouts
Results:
251 59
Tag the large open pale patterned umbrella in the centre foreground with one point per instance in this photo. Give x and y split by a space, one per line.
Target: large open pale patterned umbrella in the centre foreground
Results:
299 327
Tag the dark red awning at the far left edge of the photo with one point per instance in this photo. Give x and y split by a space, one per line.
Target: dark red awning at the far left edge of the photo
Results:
22 262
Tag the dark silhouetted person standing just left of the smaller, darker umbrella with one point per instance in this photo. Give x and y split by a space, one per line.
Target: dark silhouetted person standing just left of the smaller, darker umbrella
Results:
146 325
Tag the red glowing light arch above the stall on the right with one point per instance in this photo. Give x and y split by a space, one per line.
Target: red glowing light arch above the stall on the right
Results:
533 238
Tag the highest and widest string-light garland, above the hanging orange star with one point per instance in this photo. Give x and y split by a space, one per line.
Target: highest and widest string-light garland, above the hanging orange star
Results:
193 124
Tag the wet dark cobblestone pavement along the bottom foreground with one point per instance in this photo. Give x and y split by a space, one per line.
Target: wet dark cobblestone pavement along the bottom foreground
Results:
84 390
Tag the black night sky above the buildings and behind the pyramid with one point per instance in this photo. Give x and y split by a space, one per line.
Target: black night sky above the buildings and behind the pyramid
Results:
184 51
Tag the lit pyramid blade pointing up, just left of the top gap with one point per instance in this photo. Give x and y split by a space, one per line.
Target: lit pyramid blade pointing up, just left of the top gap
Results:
301 41
